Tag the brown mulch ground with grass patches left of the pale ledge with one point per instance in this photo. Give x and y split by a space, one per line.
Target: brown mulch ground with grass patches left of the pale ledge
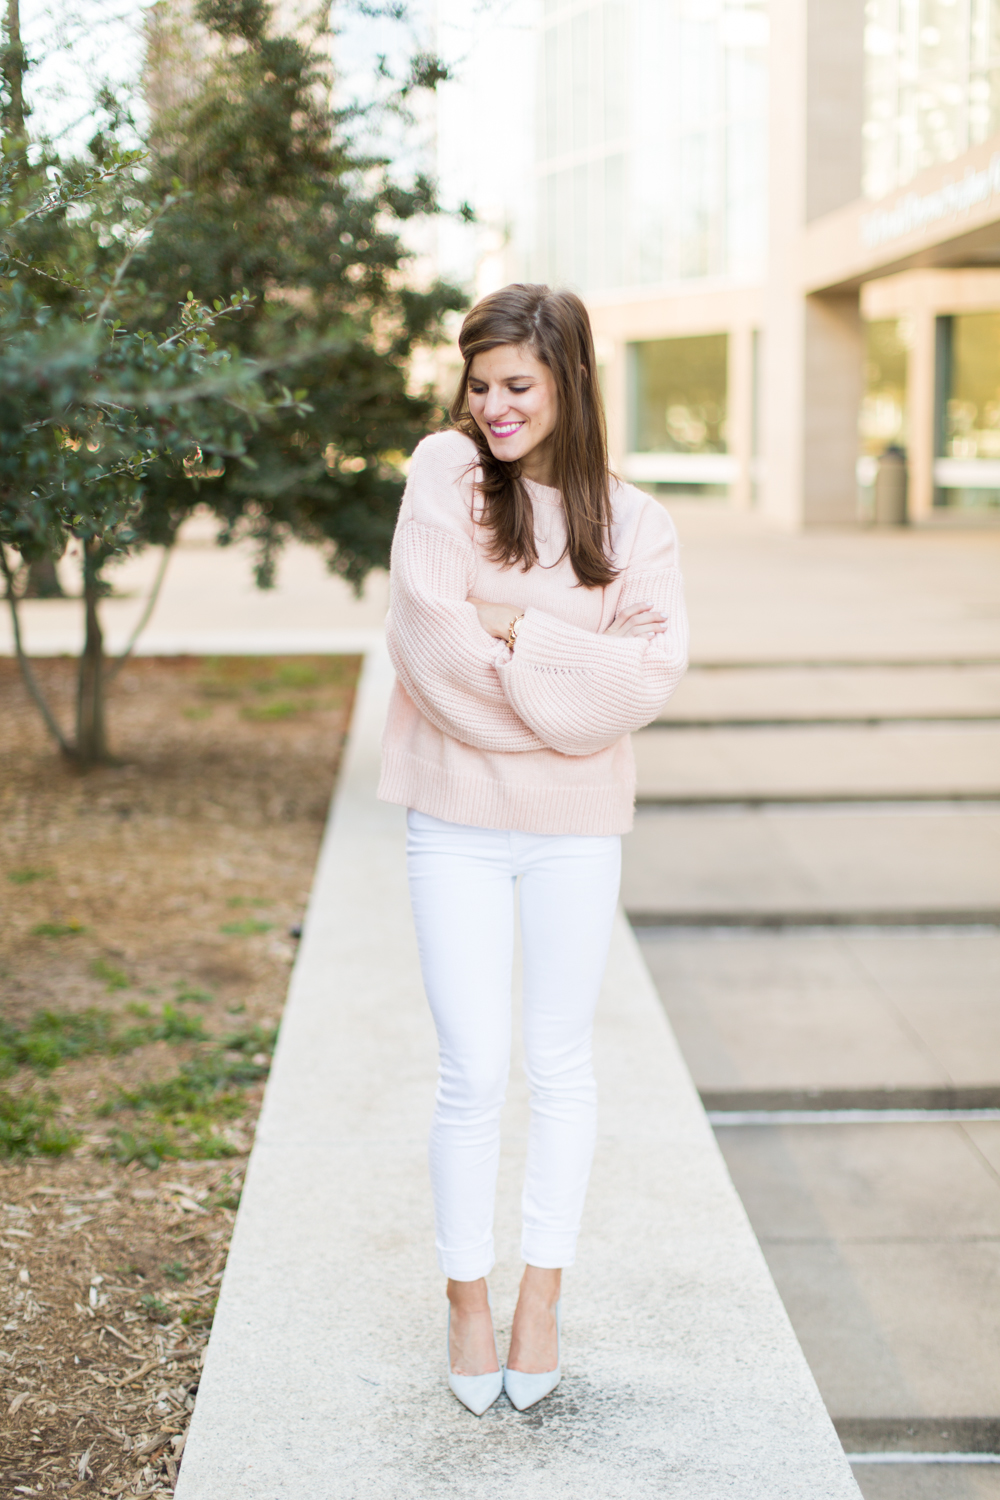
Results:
149 916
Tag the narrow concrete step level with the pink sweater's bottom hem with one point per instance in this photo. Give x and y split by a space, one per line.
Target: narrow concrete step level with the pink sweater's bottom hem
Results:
819 764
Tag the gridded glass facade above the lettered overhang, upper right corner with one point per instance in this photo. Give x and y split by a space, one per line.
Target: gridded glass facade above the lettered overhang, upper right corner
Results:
932 85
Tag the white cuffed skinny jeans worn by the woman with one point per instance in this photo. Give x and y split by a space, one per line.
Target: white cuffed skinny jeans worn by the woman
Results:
463 890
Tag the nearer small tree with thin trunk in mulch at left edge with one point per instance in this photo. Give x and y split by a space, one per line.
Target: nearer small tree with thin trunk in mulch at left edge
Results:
91 409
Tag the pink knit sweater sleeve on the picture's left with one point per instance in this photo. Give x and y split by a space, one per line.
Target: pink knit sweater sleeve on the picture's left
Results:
440 652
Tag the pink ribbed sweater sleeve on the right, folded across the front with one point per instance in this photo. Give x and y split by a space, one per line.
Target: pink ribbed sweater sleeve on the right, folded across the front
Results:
582 692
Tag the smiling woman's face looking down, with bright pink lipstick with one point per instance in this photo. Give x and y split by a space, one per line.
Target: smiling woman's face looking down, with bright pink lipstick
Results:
513 401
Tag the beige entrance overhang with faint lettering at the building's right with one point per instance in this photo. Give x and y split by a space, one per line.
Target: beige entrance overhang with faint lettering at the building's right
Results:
945 218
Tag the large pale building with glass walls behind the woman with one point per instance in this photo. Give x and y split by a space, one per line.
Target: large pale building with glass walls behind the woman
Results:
650 196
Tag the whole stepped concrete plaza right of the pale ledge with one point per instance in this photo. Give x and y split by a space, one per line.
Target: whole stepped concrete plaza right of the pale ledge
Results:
816 883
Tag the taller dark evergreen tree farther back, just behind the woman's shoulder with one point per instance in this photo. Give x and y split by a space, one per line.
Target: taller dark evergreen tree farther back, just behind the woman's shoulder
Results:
277 203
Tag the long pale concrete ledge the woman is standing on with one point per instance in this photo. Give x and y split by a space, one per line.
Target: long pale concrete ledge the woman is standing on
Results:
325 1378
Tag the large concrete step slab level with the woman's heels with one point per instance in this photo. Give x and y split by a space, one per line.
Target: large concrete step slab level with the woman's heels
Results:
885 1243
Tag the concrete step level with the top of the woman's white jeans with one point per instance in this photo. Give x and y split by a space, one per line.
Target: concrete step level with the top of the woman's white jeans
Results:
810 865
